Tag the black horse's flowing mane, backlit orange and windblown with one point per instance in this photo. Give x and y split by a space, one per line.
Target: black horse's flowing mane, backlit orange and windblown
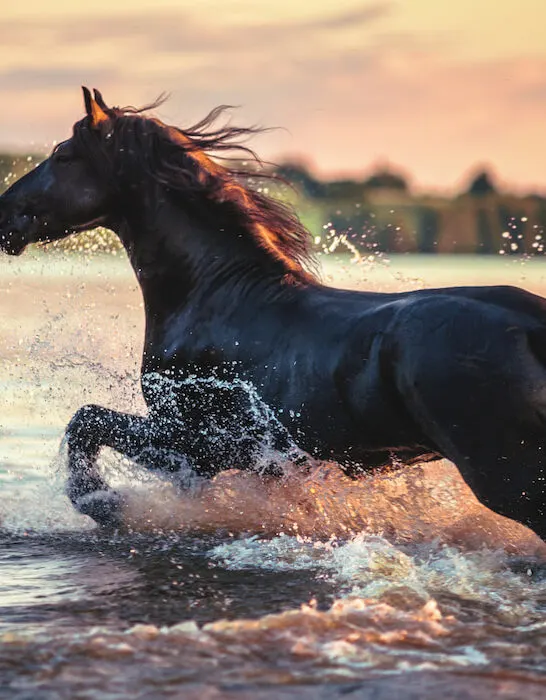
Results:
186 161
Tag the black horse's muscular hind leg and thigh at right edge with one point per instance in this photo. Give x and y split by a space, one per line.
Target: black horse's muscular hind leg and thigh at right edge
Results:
484 407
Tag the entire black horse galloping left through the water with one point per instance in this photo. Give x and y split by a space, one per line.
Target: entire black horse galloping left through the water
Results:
247 355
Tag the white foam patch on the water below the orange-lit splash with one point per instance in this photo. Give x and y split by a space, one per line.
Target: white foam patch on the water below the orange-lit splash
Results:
372 567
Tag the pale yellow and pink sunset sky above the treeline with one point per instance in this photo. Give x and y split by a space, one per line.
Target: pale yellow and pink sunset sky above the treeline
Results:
434 89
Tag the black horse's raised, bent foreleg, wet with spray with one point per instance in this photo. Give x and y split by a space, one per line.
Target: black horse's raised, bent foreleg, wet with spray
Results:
91 428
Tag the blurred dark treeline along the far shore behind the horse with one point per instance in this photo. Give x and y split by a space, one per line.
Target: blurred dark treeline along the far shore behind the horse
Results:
381 213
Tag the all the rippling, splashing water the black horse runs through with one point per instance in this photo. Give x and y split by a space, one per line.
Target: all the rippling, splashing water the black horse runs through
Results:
397 586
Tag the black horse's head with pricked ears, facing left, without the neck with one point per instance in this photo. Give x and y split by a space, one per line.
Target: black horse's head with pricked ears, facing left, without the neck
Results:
66 193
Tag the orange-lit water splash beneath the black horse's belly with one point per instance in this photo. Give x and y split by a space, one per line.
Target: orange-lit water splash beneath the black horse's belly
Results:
425 503
